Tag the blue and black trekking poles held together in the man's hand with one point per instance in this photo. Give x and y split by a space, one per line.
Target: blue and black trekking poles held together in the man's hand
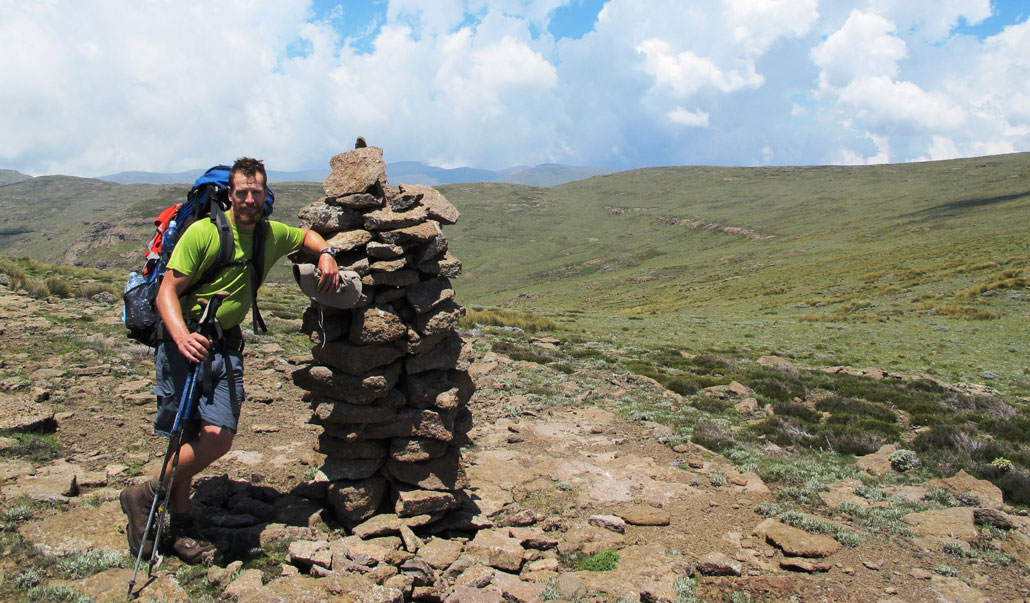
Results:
175 445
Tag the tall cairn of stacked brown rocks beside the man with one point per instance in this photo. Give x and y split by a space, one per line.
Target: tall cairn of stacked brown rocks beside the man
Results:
390 382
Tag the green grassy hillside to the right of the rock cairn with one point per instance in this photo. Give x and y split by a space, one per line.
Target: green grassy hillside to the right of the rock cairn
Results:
918 267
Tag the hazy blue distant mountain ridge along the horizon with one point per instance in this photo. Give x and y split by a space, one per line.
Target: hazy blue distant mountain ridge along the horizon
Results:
408 173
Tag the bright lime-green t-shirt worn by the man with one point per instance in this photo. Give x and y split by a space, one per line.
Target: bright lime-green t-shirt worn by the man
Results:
197 251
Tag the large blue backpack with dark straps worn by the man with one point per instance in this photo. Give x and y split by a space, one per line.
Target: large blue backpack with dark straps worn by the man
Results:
208 199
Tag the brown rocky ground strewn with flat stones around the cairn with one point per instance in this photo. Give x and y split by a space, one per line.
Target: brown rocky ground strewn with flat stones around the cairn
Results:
553 492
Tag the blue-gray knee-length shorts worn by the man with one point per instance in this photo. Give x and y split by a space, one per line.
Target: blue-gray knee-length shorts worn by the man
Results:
216 408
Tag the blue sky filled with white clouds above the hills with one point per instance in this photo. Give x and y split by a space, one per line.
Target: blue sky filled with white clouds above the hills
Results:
97 87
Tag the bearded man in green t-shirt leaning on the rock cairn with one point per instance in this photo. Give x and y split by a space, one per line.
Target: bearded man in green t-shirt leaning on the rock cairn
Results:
209 433
